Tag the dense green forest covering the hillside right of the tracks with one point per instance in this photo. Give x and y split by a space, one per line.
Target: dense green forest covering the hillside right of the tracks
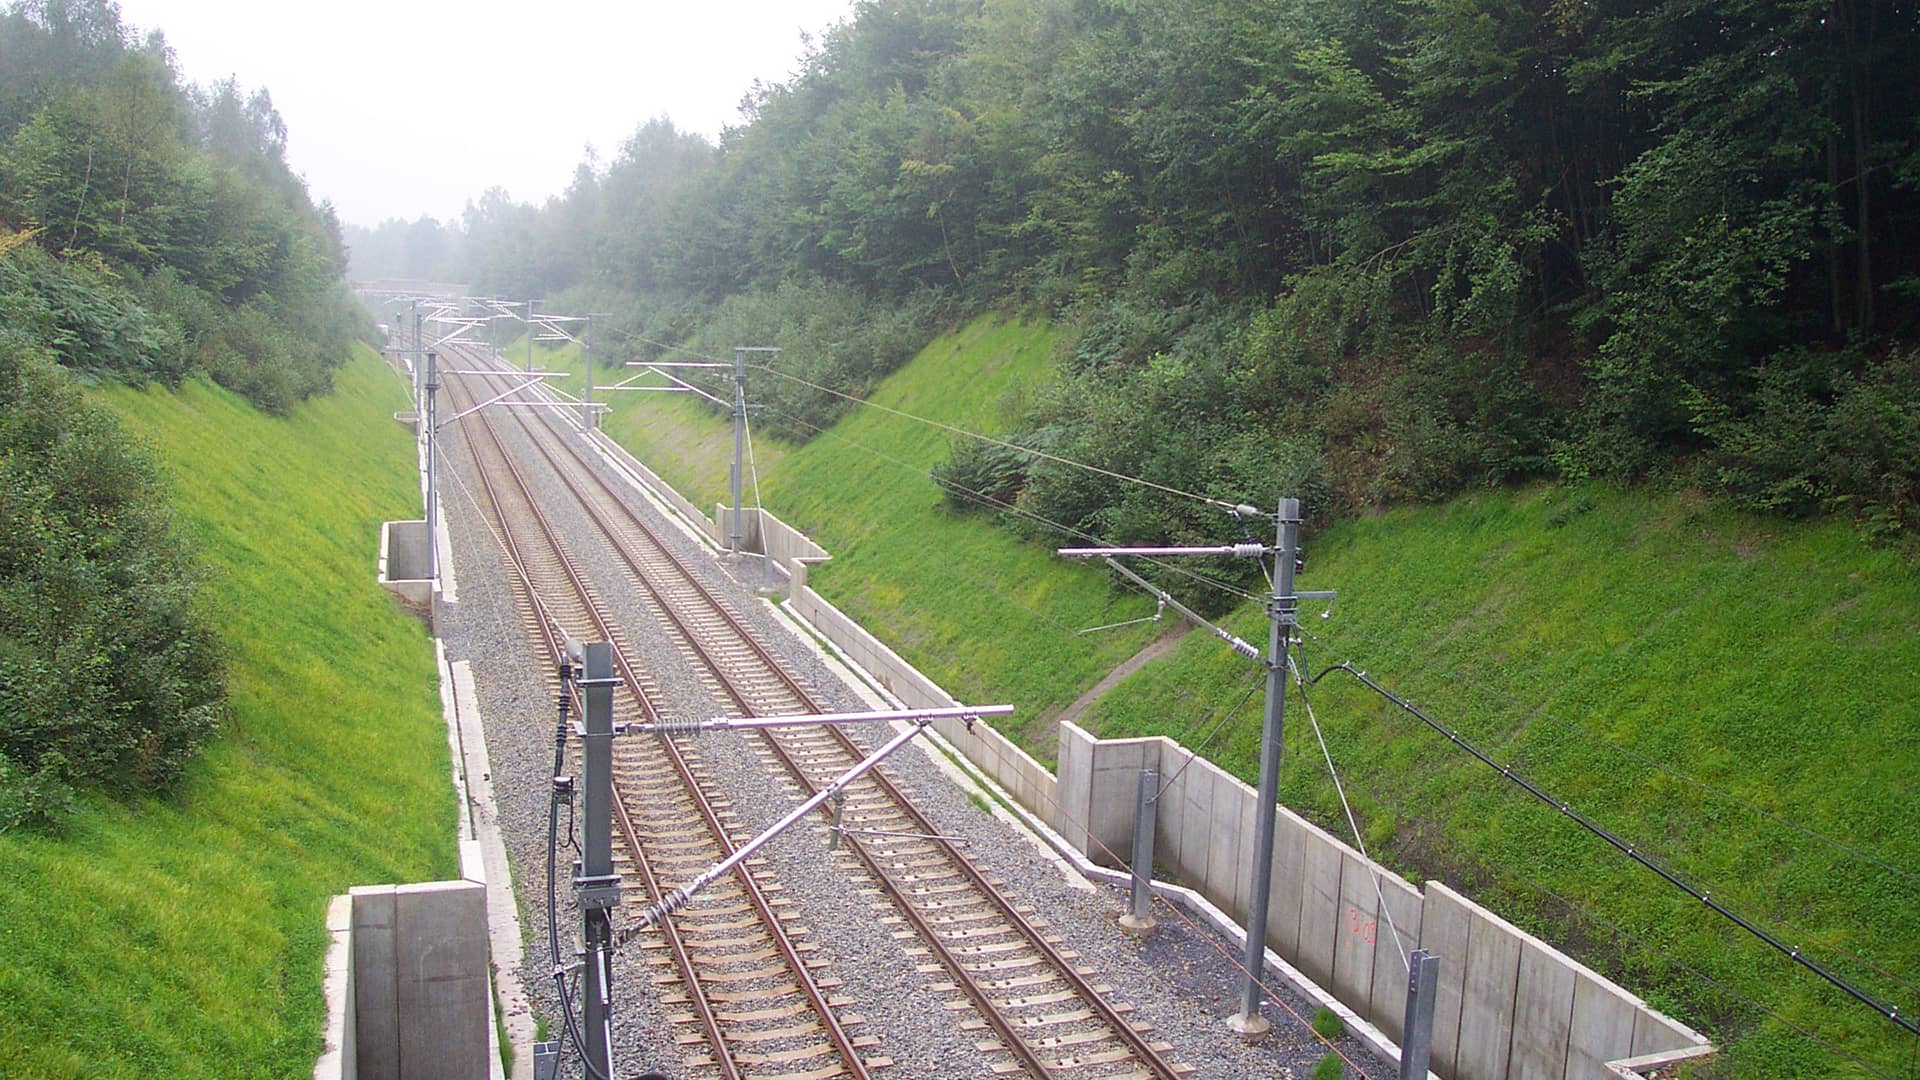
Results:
1364 253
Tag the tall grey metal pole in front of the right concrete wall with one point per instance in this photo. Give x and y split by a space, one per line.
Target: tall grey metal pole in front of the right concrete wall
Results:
1282 614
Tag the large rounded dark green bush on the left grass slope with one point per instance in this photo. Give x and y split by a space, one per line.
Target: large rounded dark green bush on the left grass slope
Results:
108 677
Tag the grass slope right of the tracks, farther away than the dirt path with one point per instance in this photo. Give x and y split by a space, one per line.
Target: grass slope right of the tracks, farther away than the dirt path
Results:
990 618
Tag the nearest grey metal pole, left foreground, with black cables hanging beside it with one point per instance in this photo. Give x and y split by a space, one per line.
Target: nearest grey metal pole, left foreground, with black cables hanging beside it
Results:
600 887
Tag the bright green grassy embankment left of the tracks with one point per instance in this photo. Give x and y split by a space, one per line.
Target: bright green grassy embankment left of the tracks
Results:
183 937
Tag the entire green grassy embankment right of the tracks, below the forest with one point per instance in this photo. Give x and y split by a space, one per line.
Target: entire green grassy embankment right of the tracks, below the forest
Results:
1652 658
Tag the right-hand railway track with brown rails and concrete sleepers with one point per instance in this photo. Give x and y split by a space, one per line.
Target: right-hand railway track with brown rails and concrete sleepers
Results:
1028 1000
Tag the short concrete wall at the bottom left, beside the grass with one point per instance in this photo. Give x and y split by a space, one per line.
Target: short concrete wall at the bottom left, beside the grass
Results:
408 985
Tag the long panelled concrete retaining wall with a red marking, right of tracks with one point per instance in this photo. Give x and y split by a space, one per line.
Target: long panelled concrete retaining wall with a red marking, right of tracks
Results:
1510 1006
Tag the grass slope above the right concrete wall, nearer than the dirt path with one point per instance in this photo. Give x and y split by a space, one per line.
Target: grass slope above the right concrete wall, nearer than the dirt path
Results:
1733 695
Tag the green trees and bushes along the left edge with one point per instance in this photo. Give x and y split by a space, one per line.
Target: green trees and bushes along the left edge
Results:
151 232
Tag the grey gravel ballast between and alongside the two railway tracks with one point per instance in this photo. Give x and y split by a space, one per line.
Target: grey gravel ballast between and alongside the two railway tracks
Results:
1184 979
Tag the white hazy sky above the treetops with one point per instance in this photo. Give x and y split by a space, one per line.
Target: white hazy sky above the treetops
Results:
416 107
